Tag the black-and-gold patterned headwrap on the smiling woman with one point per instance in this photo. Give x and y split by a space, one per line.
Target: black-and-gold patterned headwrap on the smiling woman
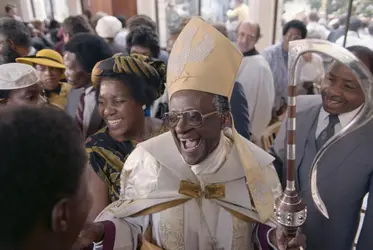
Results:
153 71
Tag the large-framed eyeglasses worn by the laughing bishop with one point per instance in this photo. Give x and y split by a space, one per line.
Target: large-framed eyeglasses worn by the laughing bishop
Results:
193 118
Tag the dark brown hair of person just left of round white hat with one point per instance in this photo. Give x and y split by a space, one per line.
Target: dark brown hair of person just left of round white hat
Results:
74 25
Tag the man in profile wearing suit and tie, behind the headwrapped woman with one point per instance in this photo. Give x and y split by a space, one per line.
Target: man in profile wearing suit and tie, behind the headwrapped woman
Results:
82 52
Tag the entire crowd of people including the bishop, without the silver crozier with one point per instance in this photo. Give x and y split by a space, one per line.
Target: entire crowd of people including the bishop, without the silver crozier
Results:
109 141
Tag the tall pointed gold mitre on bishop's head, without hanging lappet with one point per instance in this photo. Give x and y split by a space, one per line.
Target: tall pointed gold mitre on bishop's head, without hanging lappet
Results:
202 59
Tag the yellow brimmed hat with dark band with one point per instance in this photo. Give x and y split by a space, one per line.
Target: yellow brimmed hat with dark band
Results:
46 57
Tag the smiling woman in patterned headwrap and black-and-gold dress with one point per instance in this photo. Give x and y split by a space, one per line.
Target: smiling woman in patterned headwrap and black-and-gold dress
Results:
124 85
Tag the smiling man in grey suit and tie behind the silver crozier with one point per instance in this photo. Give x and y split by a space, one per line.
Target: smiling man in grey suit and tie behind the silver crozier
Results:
346 170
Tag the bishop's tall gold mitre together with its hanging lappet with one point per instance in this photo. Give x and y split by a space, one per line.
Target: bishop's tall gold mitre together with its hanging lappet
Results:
203 59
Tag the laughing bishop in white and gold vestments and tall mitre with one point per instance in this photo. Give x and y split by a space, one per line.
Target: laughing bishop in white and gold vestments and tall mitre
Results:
201 185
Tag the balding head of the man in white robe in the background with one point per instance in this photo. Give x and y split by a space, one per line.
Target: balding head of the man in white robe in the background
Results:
248 34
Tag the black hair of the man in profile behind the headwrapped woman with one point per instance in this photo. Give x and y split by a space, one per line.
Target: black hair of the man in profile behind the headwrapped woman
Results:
89 49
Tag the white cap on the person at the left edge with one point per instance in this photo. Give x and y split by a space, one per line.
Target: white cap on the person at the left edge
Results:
17 76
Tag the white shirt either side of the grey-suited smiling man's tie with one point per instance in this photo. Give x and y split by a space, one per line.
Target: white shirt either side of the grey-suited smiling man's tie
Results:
344 119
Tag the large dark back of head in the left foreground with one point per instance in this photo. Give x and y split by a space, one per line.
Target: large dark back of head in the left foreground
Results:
44 195
